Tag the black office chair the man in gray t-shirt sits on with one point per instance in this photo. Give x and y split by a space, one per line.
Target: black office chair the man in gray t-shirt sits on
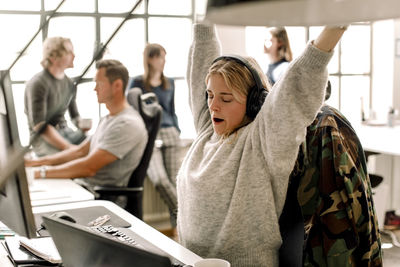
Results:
151 111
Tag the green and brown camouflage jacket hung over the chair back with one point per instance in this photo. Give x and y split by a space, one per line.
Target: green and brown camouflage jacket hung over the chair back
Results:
335 197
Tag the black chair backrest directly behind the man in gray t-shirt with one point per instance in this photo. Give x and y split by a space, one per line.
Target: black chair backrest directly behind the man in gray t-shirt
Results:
148 107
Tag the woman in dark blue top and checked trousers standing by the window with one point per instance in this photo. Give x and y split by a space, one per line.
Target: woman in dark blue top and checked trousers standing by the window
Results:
165 162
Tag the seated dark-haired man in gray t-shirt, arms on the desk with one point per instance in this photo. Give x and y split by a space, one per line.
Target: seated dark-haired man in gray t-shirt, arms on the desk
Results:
114 151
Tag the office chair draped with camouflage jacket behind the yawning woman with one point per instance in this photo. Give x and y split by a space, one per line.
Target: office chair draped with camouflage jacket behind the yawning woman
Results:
319 175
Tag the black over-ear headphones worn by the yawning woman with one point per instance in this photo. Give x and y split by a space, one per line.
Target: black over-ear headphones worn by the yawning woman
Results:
257 94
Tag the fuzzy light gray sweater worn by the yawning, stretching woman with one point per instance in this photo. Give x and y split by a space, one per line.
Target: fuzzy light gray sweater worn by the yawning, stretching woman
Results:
231 191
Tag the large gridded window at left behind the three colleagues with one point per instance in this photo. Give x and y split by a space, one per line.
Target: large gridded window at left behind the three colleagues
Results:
89 24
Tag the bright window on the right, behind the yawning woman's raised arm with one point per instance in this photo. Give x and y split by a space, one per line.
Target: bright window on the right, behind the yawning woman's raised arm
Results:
360 70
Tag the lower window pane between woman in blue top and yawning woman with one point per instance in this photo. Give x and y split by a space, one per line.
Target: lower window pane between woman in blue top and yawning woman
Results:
182 109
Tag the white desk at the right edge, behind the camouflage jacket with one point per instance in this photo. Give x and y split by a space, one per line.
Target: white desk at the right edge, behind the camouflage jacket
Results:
381 139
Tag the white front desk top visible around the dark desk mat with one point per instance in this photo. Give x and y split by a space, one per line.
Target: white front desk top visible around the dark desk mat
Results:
147 232
